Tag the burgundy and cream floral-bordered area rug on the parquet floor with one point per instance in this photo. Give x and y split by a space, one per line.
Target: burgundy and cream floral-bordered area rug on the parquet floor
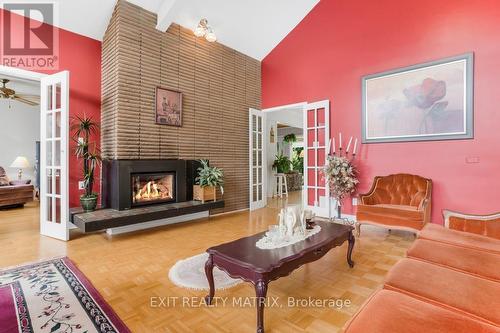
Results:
54 297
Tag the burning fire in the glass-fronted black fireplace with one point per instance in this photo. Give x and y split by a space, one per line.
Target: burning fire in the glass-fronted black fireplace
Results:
153 188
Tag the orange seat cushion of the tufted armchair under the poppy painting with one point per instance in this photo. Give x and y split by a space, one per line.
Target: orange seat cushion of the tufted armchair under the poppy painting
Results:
397 215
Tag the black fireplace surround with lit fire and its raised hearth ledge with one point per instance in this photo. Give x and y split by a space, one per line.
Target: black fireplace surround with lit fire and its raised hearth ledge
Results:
142 194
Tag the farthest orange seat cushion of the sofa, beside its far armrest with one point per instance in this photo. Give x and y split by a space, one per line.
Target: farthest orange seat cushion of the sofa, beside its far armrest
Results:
440 234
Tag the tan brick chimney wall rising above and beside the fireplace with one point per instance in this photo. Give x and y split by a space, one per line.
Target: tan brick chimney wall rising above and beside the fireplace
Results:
218 85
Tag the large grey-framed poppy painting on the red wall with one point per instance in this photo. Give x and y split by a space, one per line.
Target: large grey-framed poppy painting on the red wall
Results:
430 101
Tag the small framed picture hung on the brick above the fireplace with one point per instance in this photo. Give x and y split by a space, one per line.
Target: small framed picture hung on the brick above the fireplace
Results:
168 107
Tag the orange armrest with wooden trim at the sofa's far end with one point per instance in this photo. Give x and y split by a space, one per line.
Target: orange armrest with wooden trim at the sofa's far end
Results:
486 225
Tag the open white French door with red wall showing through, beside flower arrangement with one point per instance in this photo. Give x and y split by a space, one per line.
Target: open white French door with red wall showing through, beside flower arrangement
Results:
316 194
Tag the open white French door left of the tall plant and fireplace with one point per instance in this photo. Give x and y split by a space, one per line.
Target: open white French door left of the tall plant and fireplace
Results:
54 135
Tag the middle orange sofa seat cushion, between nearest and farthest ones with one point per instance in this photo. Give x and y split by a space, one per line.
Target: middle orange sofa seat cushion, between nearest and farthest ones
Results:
447 288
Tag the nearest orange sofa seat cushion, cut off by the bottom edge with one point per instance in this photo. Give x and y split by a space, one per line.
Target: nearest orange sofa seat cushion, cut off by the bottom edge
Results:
393 312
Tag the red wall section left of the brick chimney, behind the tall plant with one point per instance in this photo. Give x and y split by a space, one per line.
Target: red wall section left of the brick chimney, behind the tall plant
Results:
81 56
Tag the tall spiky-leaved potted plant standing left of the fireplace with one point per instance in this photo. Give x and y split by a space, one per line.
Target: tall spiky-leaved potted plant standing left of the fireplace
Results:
83 128
